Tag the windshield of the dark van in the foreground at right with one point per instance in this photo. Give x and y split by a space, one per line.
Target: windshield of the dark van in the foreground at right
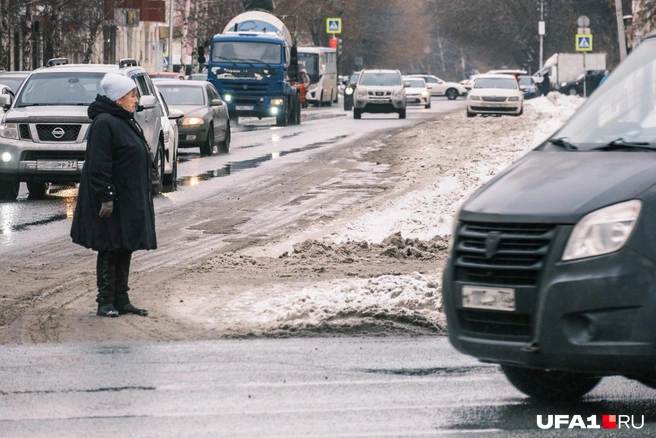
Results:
624 107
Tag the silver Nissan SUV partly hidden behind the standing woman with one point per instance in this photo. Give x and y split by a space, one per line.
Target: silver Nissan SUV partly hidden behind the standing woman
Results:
44 130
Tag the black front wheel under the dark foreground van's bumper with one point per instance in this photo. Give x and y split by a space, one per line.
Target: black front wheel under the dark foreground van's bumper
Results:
550 386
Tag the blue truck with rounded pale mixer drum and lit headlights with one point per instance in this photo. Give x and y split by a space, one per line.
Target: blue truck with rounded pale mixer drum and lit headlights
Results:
254 65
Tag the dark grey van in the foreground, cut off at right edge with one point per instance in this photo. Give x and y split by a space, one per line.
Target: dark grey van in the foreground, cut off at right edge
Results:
552 266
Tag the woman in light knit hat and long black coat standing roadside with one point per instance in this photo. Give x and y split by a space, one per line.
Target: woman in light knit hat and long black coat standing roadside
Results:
114 214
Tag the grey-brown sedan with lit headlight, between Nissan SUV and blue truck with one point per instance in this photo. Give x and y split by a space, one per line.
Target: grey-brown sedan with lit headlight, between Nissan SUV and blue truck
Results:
206 120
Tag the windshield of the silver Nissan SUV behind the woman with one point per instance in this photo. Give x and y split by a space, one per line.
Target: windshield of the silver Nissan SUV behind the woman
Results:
60 88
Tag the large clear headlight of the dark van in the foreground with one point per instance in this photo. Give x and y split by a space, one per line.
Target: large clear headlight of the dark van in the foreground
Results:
603 231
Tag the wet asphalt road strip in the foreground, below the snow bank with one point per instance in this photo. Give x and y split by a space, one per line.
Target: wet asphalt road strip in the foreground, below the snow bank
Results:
356 387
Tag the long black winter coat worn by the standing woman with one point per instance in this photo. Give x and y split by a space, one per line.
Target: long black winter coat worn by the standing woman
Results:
116 168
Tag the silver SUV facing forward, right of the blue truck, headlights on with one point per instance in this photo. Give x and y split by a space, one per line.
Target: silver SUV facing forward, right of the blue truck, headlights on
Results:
379 91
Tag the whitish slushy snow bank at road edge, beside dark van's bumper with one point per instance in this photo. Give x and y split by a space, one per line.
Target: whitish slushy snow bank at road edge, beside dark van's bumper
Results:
407 303
